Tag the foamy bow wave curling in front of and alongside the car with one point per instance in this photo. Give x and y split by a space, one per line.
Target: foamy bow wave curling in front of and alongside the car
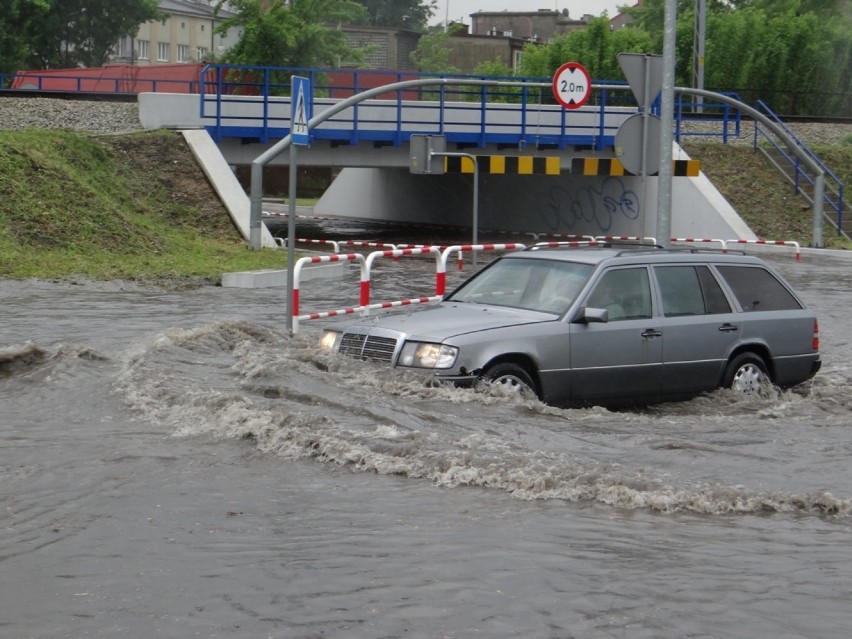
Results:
238 380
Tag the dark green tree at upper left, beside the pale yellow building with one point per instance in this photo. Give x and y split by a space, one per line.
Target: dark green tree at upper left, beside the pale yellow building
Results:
84 32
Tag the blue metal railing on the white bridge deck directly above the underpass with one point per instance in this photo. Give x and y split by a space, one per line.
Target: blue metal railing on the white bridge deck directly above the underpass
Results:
254 102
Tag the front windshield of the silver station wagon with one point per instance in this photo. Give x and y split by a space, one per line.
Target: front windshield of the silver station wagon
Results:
533 284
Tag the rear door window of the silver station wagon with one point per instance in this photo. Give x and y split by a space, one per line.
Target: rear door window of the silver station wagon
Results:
690 290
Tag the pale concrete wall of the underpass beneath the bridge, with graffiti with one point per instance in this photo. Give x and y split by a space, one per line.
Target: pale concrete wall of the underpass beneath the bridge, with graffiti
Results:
533 204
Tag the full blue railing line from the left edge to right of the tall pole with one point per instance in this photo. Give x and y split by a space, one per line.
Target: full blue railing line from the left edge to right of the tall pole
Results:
253 102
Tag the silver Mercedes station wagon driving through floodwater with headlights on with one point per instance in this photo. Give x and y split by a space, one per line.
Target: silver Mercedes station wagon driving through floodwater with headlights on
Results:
609 326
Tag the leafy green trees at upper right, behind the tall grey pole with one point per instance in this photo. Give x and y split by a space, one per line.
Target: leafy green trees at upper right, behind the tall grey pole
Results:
794 54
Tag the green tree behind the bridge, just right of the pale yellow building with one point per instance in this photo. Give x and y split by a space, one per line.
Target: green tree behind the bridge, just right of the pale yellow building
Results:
290 34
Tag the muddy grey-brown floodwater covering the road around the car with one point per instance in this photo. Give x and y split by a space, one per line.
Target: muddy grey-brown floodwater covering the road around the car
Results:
175 464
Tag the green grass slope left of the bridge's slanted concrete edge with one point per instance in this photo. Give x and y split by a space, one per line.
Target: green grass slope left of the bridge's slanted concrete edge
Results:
131 207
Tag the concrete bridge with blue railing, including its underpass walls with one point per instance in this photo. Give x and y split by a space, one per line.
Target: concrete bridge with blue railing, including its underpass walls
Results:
370 142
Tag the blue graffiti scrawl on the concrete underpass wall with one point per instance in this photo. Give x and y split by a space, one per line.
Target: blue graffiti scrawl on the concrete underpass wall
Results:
600 205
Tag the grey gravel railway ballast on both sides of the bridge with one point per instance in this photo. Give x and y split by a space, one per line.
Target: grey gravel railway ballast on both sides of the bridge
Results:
121 117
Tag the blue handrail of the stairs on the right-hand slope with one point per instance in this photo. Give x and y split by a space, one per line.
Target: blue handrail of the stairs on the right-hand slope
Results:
792 168
